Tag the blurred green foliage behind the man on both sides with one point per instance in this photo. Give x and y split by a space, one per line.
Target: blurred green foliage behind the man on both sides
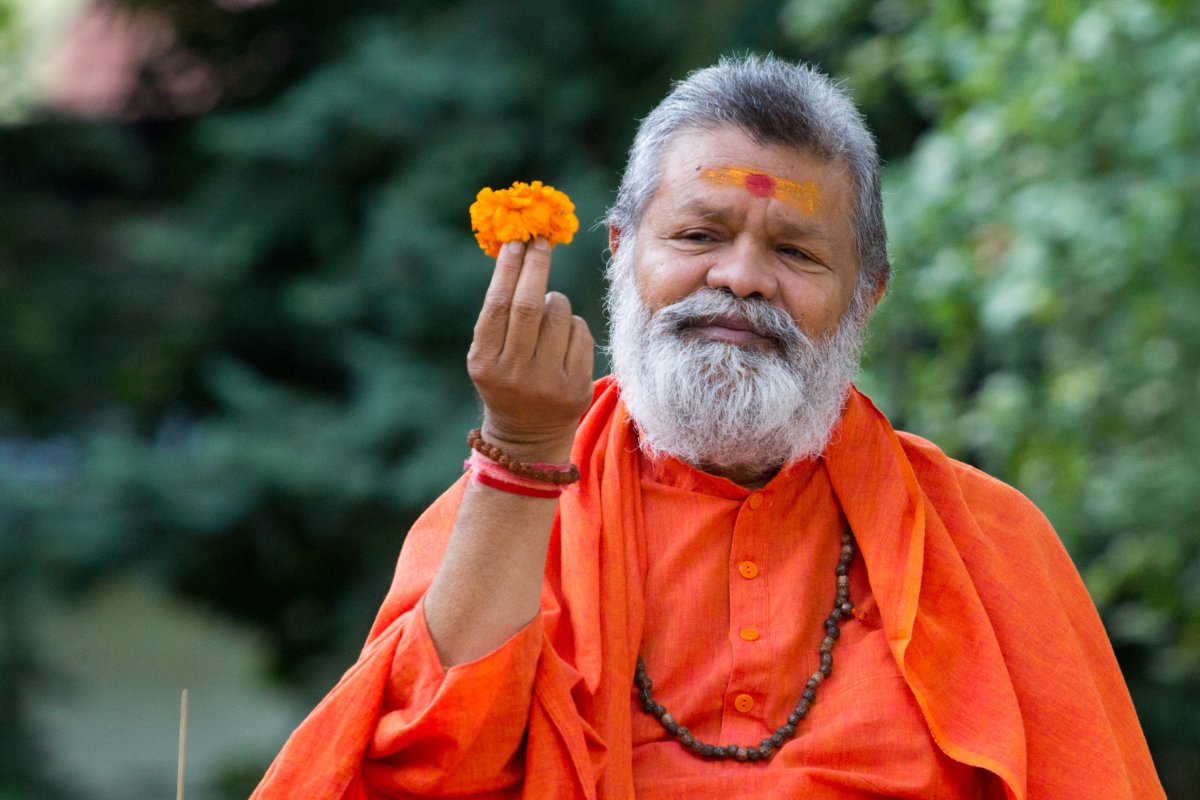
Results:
232 345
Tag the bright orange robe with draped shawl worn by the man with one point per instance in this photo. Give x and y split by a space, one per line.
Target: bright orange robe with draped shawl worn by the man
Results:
982 618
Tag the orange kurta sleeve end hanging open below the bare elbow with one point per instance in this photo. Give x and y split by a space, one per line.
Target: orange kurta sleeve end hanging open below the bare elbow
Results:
458 732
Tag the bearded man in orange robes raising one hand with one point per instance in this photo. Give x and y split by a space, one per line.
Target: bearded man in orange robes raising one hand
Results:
757 588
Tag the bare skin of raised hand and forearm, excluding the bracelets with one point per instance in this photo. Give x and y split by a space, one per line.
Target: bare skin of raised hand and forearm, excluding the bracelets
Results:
532 364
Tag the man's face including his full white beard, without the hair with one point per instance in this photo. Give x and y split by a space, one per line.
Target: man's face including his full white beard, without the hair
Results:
731 338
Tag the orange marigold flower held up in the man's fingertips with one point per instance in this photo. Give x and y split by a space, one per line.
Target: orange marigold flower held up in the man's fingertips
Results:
521 213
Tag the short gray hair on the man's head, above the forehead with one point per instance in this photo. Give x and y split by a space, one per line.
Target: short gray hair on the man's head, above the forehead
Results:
775 103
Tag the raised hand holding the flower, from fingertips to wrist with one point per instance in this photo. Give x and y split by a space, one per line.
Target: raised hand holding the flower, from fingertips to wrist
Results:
531 359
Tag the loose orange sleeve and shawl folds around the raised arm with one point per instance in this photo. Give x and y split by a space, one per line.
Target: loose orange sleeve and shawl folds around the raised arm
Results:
400 726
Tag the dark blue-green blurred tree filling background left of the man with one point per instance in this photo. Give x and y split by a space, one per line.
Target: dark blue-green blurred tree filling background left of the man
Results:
235 344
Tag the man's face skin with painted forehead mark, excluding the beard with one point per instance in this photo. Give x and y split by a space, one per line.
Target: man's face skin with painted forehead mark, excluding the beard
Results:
752 220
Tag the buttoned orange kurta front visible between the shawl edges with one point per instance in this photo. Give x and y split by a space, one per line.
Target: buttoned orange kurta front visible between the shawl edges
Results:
737 588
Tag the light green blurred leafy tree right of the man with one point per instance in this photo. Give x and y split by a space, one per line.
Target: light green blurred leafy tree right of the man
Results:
1042 324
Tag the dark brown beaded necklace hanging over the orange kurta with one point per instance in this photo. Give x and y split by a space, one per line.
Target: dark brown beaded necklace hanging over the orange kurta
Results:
843 609
